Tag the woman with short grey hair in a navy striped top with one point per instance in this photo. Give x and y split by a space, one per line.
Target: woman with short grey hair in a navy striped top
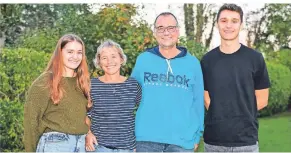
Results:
114 100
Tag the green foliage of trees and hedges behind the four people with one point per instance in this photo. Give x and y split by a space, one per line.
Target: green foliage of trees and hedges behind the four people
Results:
29 33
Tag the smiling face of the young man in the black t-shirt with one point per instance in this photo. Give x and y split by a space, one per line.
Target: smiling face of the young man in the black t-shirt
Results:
229 25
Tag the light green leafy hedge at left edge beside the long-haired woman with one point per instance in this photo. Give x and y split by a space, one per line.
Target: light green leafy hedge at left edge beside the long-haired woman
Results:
18 68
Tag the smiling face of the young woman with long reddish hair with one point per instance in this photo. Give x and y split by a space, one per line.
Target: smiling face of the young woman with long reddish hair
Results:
72 56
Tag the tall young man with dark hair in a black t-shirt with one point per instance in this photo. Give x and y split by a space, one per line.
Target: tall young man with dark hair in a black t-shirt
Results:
236 85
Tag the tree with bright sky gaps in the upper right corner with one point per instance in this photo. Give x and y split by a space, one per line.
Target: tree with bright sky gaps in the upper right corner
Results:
270 30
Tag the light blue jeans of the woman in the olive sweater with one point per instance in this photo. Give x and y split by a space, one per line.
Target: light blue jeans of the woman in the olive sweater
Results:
61 142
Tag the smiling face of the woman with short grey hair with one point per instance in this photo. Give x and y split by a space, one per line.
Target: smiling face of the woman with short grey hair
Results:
110 60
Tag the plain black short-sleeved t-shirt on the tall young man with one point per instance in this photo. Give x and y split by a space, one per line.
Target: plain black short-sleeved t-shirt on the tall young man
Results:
231 80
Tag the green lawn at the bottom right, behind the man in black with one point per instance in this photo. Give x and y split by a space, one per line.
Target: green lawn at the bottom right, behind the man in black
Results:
274 133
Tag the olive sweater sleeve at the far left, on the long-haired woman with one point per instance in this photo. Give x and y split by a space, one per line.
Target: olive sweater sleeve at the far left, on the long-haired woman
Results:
36 103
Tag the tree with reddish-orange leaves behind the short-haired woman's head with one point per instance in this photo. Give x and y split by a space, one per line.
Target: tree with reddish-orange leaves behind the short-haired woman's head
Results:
116 22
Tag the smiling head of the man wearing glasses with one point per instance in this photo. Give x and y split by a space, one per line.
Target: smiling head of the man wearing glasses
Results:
166 31
